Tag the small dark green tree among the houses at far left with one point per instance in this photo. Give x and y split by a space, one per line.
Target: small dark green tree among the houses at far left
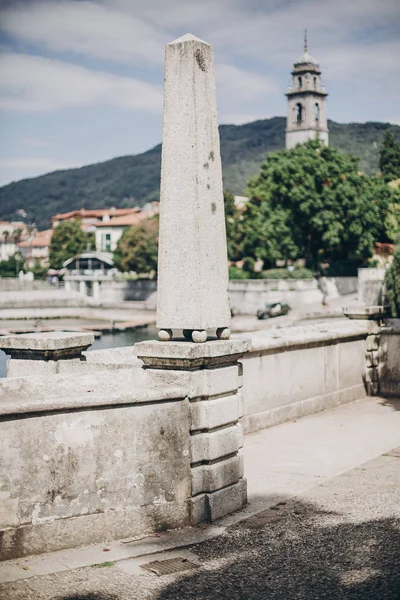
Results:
68 240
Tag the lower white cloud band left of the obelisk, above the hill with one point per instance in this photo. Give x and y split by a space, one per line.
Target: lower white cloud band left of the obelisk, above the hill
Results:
34 83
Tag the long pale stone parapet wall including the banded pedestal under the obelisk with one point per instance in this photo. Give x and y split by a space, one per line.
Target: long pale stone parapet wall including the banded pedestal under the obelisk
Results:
110 448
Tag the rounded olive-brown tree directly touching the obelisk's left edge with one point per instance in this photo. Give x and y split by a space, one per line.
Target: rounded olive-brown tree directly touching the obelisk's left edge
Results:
137 249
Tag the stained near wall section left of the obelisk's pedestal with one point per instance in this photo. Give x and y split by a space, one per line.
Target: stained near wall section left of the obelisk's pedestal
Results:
89 458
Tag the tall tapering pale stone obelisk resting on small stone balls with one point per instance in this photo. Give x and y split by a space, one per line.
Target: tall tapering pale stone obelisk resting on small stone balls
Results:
192 260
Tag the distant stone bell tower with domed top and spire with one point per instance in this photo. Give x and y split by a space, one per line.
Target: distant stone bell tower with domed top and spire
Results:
306 102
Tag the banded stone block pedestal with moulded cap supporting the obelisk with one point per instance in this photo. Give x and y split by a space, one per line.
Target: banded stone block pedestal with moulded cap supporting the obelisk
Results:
211 374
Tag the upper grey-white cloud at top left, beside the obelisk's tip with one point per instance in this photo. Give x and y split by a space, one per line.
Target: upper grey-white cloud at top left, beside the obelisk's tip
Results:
85 28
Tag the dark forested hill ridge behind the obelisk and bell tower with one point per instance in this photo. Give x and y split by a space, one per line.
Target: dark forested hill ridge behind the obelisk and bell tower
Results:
134 180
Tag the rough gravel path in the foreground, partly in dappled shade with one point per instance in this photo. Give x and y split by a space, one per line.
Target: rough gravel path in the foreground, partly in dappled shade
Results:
338 541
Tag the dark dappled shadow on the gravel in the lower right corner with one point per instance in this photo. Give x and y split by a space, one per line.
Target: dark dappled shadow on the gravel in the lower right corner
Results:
296 551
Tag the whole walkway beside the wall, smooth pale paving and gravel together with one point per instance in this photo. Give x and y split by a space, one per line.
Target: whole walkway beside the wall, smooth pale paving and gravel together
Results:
322 522
